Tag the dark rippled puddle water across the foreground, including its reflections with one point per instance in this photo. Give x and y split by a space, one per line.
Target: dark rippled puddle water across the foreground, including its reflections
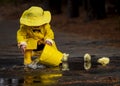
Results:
74 74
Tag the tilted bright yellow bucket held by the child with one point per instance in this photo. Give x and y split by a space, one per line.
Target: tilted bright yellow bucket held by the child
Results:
51 56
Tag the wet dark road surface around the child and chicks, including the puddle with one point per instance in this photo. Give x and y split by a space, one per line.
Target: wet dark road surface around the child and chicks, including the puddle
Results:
12 72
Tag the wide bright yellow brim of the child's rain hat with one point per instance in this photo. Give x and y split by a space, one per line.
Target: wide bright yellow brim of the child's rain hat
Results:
36 21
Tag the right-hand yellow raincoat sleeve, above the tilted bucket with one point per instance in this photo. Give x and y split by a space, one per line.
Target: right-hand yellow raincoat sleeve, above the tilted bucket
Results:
49 35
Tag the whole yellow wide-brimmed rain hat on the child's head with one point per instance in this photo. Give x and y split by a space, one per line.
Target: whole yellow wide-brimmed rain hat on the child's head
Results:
35 16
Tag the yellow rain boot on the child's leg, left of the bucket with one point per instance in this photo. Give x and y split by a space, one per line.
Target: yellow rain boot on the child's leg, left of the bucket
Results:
27 57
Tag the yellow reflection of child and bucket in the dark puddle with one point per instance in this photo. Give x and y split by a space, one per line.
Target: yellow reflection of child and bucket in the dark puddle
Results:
44 79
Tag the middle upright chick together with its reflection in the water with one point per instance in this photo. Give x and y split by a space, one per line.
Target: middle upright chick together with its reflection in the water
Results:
87 61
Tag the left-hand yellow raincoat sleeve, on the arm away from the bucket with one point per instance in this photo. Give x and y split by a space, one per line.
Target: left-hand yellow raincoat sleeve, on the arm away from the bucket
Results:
21 36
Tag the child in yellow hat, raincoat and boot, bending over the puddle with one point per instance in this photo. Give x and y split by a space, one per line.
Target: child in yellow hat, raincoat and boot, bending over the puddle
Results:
34 32
